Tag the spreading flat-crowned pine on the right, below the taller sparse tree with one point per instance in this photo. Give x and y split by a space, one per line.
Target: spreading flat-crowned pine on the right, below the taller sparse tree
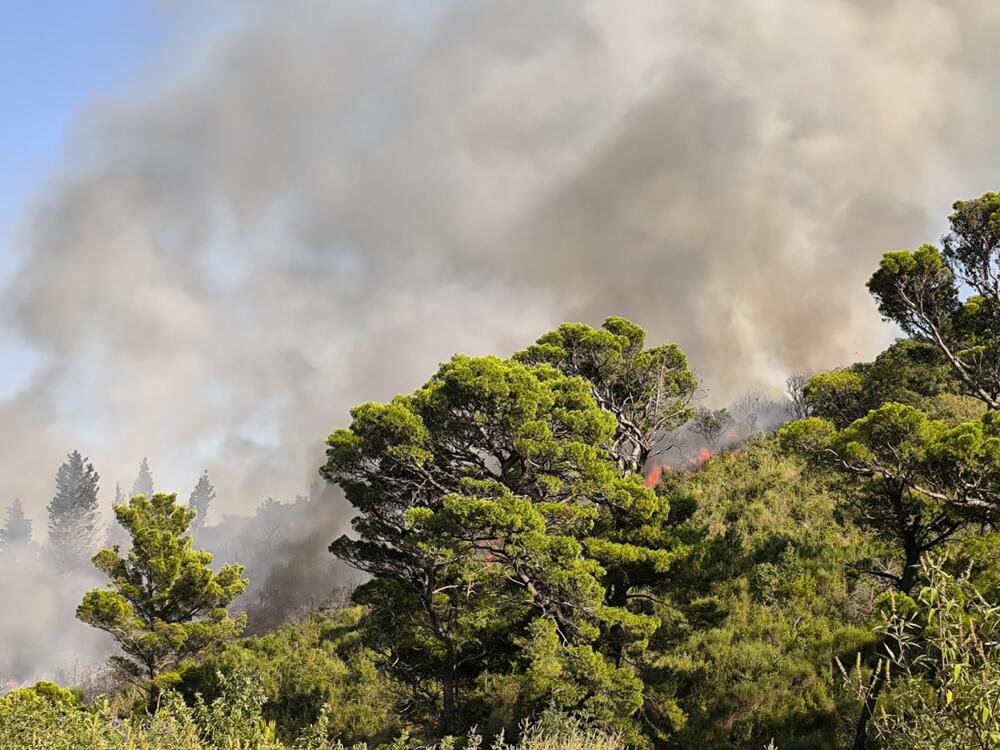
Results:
914 482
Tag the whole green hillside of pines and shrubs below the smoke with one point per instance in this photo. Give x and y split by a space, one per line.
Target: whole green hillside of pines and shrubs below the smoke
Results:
830 584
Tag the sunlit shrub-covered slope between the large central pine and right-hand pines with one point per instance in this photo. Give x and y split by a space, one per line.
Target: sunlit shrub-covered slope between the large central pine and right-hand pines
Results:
761 605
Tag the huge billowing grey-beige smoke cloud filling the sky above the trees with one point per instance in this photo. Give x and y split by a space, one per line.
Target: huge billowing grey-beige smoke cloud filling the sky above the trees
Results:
343 194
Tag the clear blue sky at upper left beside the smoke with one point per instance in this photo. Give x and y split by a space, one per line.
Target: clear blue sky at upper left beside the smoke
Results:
58 57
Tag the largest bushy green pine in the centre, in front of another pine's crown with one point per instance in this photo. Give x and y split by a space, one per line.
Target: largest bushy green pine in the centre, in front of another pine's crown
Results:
492 515
